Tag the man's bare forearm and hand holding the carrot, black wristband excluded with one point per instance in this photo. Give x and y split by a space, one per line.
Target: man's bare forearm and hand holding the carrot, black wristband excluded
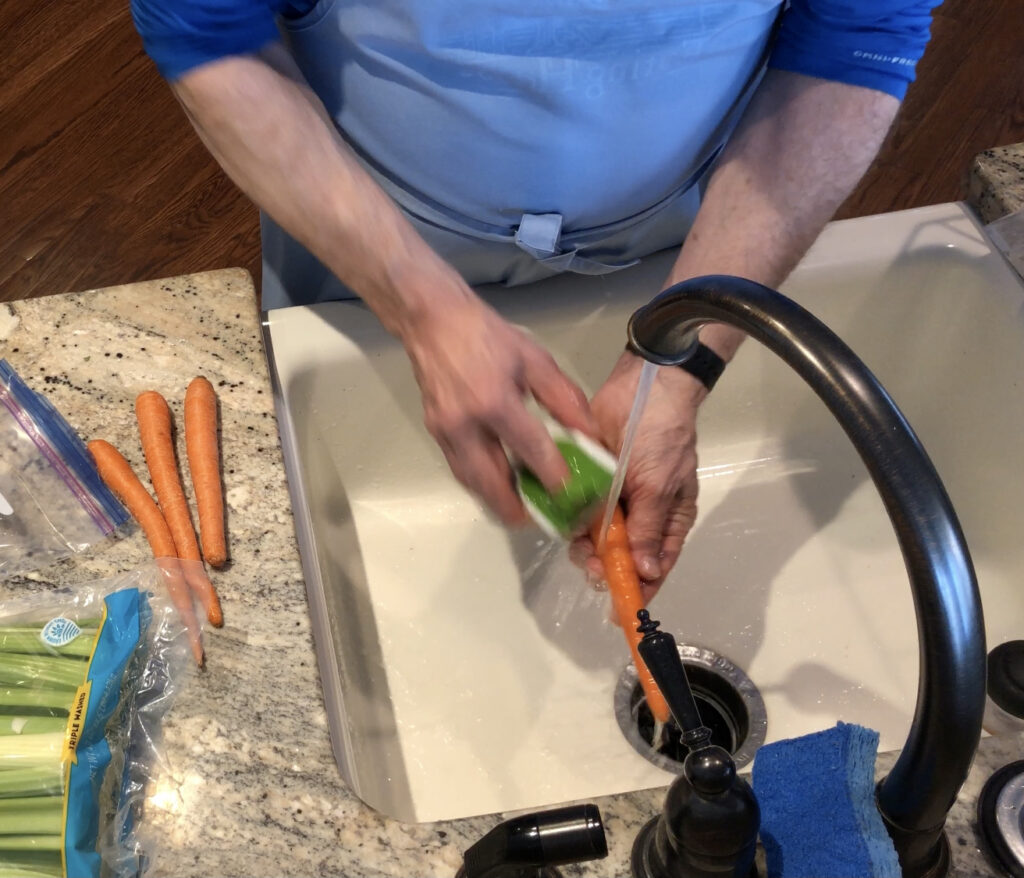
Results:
801 148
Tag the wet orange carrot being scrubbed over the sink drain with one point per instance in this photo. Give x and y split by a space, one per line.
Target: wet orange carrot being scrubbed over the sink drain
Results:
627 599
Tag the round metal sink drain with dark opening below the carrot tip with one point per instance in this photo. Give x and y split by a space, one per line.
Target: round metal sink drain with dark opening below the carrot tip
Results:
730 703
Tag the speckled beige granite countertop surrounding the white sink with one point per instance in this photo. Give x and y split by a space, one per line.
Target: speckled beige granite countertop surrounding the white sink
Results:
250 786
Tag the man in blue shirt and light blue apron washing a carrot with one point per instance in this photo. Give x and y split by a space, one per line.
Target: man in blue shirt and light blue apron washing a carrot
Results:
406 150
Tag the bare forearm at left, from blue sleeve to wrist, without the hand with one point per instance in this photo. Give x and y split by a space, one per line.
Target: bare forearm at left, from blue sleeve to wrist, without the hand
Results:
273 138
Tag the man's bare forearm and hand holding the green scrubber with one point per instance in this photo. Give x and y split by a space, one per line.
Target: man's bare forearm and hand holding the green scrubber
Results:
274 138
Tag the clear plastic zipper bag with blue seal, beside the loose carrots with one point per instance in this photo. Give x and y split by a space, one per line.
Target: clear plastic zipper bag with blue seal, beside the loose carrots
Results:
53 501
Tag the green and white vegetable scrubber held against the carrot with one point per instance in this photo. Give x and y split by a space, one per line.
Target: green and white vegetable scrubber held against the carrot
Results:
569 512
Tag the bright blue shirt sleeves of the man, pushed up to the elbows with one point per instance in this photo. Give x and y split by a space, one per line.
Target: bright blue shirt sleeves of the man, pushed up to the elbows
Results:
873 44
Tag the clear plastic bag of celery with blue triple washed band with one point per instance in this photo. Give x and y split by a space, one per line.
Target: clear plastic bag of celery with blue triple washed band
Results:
87 675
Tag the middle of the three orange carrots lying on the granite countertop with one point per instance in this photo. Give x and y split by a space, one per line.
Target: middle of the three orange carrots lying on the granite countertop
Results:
154 417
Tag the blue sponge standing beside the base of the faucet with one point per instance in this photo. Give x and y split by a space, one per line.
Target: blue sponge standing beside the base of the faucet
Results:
819 816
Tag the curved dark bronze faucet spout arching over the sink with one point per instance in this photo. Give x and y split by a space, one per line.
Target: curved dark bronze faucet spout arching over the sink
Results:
917 796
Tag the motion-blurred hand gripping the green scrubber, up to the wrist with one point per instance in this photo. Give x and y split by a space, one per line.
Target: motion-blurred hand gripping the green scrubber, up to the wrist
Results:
476 371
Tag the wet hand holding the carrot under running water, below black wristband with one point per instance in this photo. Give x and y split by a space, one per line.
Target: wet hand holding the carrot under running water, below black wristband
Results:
661 489
